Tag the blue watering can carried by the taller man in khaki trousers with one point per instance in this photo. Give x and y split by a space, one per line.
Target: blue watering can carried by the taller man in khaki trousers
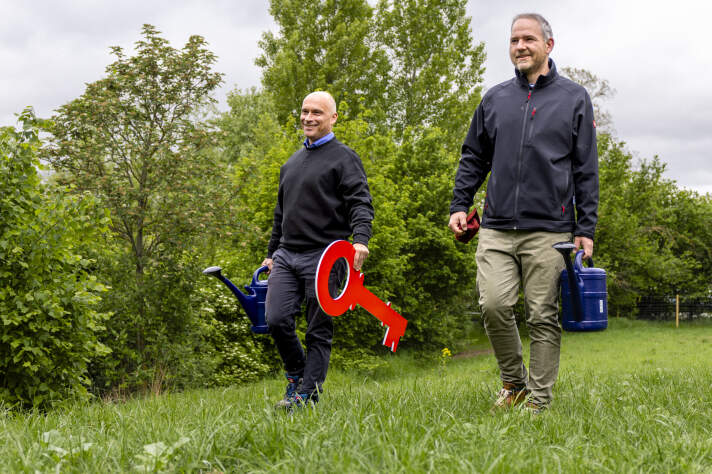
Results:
584 298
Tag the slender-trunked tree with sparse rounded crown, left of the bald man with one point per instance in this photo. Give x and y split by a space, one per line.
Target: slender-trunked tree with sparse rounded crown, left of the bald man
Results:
135 140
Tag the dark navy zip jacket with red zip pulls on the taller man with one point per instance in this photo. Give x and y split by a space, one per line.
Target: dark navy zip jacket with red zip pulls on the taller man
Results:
540 145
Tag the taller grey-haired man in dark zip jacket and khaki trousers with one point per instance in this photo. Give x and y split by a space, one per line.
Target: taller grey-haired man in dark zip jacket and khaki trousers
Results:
536 135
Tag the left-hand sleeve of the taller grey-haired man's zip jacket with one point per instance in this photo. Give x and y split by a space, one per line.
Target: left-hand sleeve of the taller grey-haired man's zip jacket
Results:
475 162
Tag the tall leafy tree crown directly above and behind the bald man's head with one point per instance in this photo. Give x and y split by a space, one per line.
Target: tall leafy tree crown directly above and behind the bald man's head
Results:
323 44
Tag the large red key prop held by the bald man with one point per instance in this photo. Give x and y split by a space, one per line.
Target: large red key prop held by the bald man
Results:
355 293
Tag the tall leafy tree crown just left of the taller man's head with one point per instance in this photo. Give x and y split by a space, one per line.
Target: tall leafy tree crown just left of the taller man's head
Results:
435 66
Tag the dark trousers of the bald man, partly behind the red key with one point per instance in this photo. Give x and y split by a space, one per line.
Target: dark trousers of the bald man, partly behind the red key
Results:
291 283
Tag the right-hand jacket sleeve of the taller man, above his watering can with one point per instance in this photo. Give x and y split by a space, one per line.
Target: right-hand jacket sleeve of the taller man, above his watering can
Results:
585 169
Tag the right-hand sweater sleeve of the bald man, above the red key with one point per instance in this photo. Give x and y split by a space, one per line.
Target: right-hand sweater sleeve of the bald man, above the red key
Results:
357 196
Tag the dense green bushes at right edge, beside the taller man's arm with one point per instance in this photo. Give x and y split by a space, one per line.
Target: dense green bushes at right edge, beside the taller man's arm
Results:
652 237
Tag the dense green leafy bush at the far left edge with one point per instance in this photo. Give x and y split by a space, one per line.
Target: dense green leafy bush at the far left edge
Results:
48 293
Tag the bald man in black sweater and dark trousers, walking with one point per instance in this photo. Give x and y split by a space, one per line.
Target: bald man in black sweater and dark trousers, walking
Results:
323 196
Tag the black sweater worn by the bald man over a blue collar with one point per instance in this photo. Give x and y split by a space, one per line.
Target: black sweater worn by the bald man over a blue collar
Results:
323 196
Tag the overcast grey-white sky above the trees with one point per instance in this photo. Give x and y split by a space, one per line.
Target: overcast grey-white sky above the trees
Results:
655 54
